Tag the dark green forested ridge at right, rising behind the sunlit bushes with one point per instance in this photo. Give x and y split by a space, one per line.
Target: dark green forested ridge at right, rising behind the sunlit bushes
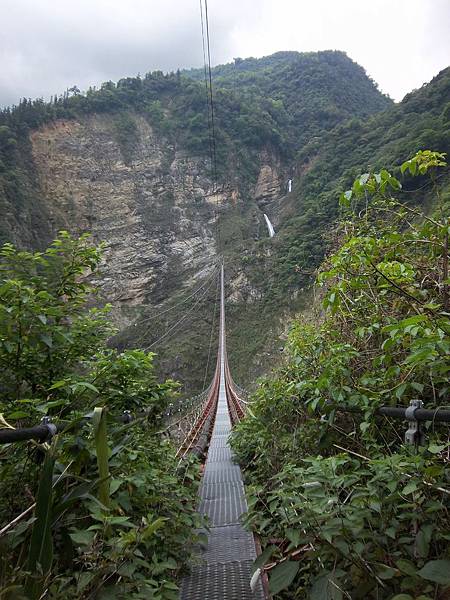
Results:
329 163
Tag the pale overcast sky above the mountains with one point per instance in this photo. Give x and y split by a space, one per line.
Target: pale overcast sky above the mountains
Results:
49 45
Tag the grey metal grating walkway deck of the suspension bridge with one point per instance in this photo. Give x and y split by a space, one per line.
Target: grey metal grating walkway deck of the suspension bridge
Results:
225 566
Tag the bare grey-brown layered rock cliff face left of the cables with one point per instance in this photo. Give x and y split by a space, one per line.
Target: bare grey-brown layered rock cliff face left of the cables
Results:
154 214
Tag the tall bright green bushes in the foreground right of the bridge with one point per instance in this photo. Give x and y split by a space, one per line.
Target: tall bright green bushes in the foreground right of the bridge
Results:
343 507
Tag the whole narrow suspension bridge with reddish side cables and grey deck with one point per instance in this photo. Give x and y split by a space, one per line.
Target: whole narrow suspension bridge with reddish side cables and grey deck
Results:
223 570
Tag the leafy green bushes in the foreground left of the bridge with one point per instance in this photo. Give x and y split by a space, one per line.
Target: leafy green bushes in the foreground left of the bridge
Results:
112 514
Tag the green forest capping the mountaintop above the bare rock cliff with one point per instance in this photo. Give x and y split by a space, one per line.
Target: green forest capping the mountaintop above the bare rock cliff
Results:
277 104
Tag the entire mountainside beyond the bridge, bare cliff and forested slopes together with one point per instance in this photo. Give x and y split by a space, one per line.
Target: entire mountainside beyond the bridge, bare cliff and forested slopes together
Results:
130 163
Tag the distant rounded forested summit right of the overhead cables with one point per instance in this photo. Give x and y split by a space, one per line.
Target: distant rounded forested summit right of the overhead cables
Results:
311 91
